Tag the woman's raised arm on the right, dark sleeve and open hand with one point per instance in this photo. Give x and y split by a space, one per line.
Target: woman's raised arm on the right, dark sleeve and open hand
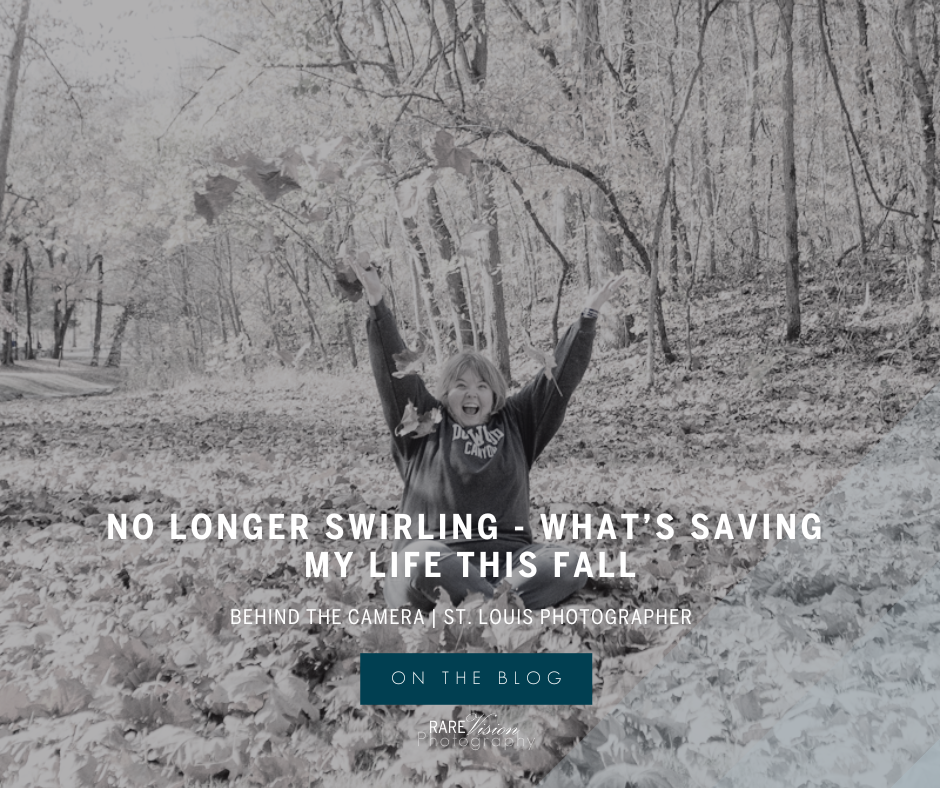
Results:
539 408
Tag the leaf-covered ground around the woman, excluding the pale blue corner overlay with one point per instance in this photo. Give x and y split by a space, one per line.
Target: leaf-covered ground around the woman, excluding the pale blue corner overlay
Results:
118 664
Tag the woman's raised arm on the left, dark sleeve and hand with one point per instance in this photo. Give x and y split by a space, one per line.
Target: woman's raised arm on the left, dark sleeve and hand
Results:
384 343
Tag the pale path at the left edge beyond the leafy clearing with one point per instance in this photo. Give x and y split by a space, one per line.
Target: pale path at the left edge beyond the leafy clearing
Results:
45 378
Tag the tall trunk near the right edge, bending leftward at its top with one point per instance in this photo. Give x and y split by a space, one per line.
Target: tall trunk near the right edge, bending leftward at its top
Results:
907 20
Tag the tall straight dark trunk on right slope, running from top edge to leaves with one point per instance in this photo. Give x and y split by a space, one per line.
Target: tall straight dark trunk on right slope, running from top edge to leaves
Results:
791 248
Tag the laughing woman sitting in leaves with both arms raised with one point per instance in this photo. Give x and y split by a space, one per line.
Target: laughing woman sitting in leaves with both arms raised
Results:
475 462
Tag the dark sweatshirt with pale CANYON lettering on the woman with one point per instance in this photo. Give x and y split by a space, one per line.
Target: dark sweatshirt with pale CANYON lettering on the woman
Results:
478 470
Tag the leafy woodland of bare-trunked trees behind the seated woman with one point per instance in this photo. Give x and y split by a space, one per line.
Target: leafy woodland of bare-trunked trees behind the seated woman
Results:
492 159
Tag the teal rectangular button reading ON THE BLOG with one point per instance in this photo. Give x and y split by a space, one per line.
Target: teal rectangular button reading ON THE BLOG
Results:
485 679
